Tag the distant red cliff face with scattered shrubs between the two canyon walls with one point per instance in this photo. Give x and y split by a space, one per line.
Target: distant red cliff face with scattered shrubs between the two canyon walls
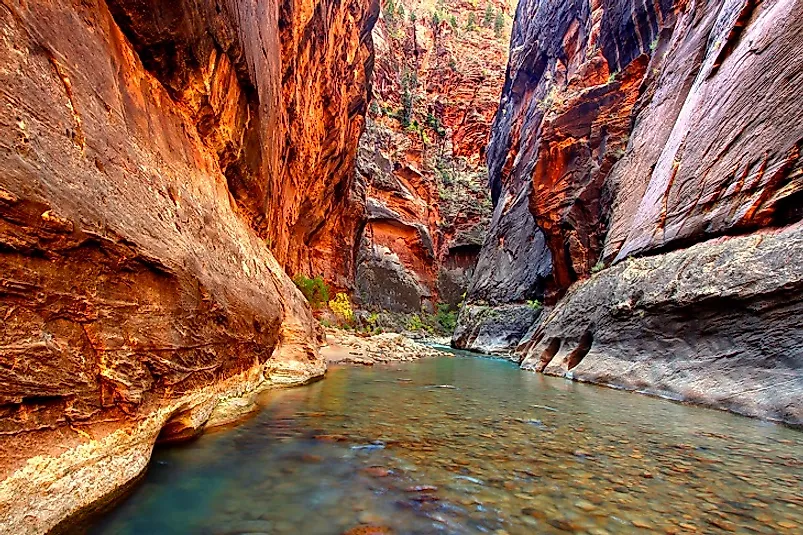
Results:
438 74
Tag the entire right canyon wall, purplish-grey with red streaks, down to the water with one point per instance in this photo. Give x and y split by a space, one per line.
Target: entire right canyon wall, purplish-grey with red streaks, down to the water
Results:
662 141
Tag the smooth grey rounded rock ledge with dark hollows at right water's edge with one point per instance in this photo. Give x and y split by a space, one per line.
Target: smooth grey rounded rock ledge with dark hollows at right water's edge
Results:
718 323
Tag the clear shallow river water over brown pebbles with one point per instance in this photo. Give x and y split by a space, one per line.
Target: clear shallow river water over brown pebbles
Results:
491 449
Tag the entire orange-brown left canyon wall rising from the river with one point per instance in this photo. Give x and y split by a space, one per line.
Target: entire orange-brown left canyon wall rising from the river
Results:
151 154
